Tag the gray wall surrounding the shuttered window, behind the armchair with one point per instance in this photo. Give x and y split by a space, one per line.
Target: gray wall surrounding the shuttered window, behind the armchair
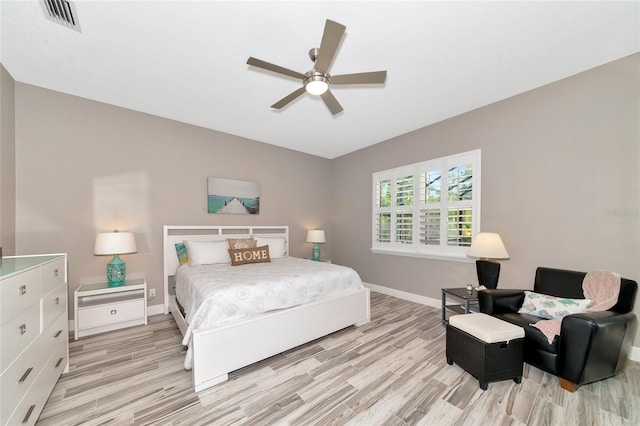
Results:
560 183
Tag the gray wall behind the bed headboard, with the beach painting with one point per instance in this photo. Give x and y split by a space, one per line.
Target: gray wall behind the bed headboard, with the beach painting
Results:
84 167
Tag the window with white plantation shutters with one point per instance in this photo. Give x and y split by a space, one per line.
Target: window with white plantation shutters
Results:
428 209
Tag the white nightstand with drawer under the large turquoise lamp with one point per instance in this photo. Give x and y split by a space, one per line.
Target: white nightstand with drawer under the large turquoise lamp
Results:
100 308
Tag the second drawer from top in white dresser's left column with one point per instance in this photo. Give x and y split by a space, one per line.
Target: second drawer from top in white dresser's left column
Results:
19 333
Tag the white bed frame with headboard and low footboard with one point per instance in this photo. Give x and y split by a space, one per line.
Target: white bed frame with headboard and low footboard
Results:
223 349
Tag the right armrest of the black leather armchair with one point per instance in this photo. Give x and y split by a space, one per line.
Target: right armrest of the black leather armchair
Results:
594 345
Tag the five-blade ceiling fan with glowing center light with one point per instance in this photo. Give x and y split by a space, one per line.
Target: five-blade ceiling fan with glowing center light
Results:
317 80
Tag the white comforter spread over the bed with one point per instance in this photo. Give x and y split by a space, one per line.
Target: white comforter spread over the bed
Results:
216 294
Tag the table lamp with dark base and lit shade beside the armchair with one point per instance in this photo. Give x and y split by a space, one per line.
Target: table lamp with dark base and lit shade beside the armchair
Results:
487 247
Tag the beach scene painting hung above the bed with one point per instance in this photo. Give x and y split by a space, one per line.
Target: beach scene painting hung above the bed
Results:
227 196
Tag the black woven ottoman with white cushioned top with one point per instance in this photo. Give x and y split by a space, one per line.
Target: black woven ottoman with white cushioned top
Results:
486 347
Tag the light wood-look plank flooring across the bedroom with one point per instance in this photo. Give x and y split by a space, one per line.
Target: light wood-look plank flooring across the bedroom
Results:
391 371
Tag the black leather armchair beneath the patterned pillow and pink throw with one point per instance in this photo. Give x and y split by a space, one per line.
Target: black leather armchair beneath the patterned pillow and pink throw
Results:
591 346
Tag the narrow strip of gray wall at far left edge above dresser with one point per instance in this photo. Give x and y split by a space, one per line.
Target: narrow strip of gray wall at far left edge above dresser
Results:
7 164
